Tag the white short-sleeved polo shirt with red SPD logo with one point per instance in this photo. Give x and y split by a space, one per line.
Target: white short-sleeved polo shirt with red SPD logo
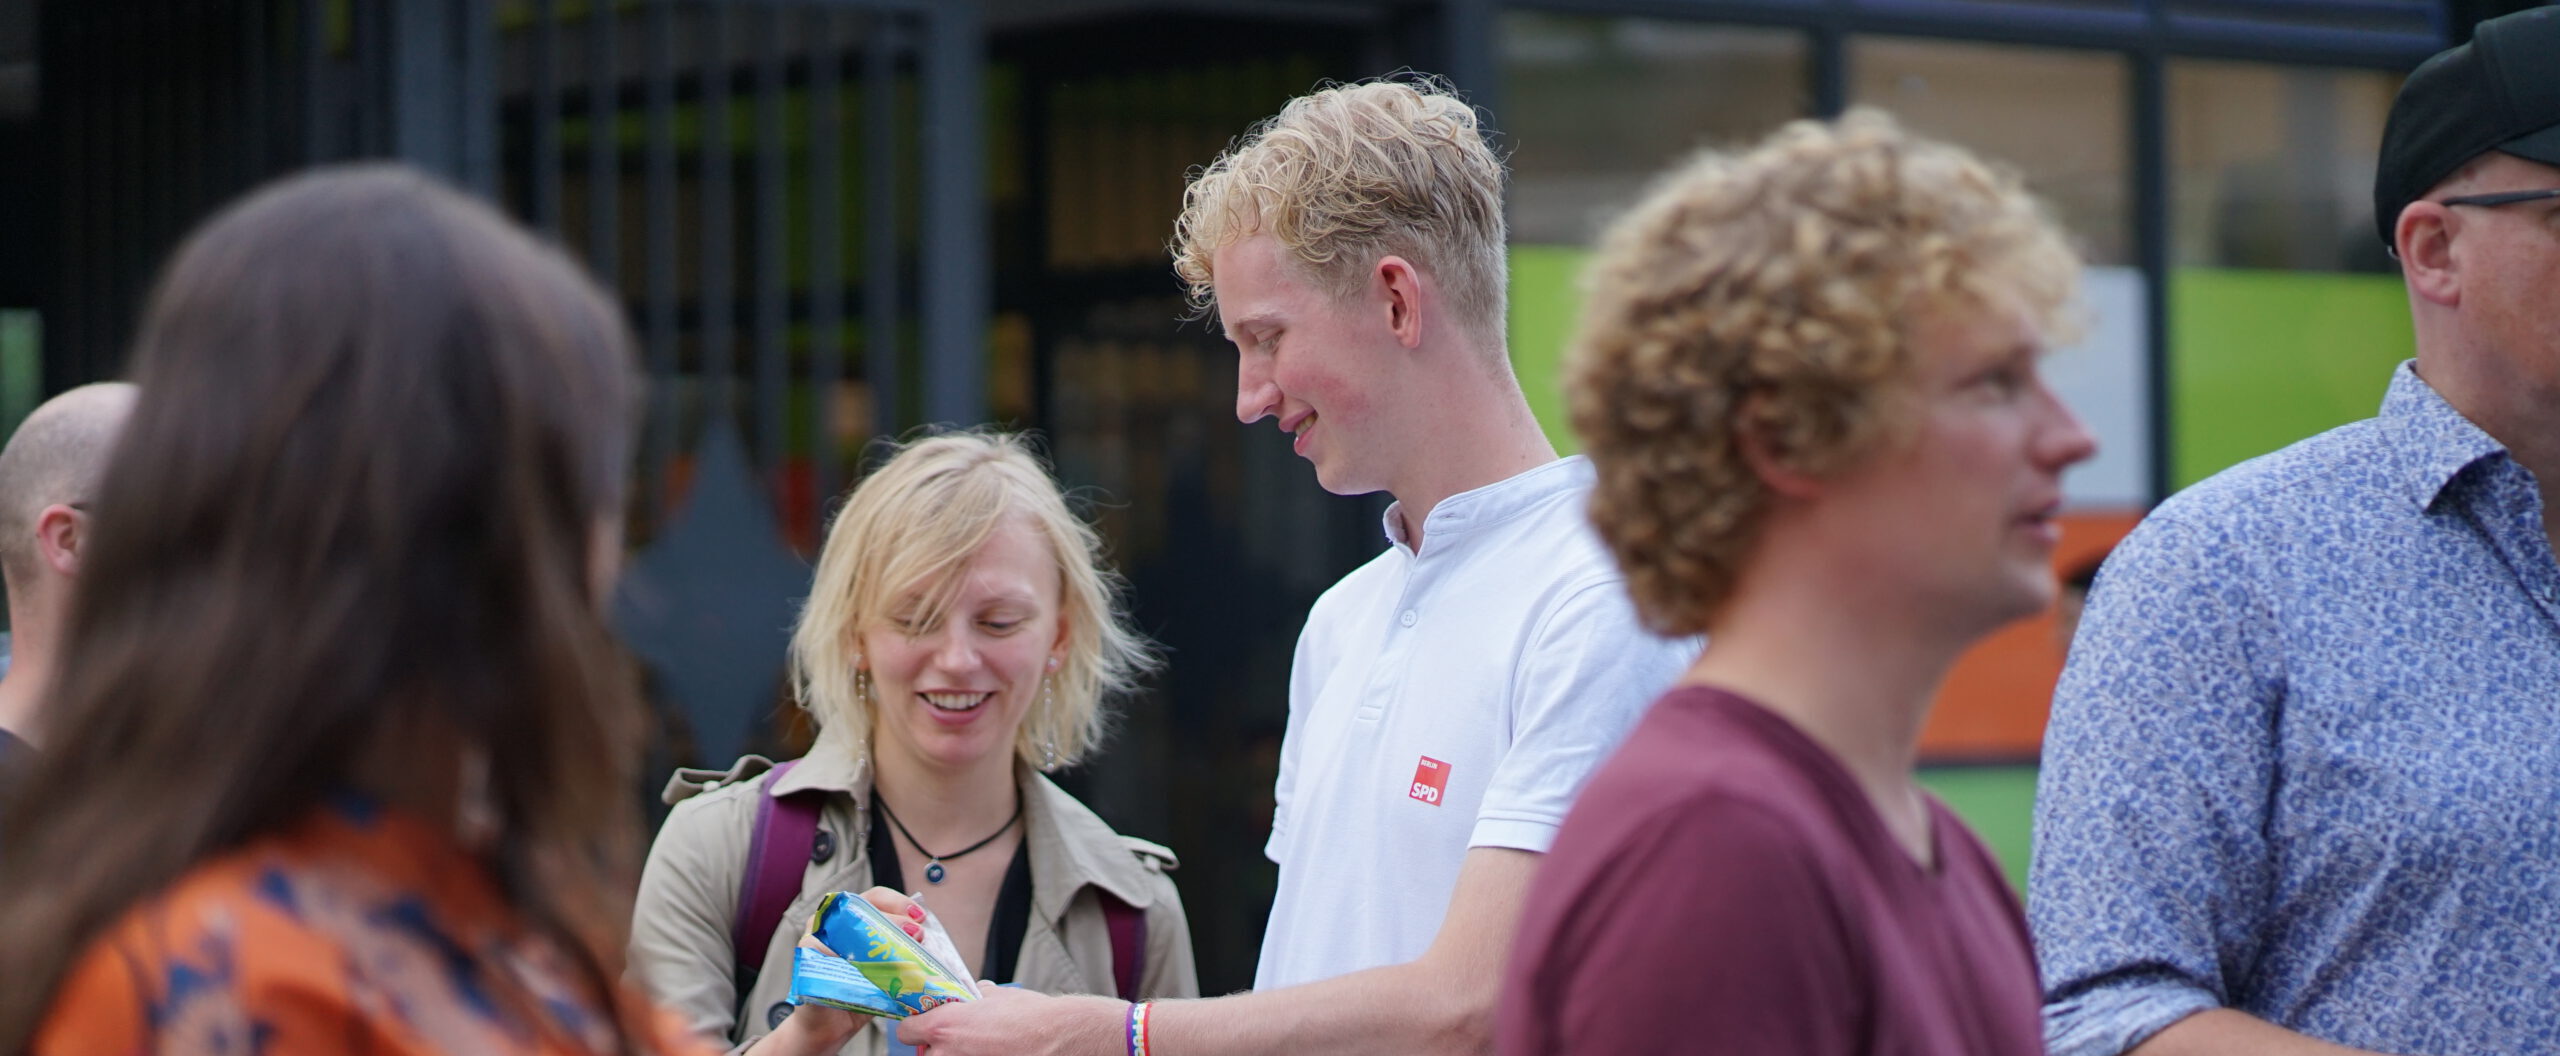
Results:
1448 701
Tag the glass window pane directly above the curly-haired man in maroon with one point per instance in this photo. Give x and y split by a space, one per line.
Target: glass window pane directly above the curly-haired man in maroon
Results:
1599 106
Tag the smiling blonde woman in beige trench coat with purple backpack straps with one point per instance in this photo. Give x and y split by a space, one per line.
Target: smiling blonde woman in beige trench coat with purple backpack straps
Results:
959 645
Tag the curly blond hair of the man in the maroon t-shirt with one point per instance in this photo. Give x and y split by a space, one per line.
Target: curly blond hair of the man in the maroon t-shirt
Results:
1770 293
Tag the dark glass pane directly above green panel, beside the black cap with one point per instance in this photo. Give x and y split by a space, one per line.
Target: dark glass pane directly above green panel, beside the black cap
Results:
2275 165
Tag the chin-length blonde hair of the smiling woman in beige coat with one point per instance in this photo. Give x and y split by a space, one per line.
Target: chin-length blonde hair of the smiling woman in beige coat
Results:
910 529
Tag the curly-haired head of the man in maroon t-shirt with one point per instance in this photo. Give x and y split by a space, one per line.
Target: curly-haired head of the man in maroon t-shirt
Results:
1829 340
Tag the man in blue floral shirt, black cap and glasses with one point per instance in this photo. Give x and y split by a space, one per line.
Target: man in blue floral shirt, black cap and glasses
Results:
2303 783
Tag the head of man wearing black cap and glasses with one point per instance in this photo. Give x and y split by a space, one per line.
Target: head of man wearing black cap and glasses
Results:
2469 199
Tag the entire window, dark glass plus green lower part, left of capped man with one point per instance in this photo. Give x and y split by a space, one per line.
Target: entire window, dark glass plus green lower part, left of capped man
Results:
2287 314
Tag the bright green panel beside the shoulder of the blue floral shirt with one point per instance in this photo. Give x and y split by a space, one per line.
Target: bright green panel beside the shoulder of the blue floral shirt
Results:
2259 360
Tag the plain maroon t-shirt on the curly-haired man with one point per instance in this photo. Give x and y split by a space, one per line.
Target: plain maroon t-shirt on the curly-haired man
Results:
1724 888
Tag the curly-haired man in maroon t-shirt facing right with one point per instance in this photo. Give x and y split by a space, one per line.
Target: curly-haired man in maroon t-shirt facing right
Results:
1809 381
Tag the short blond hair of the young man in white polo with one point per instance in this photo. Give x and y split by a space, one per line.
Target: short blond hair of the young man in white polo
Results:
1350 176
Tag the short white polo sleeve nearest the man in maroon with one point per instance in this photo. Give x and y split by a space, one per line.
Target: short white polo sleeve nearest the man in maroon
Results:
1588 675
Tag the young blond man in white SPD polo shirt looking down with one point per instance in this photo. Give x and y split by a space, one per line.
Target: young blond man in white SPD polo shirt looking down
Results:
1450 696
